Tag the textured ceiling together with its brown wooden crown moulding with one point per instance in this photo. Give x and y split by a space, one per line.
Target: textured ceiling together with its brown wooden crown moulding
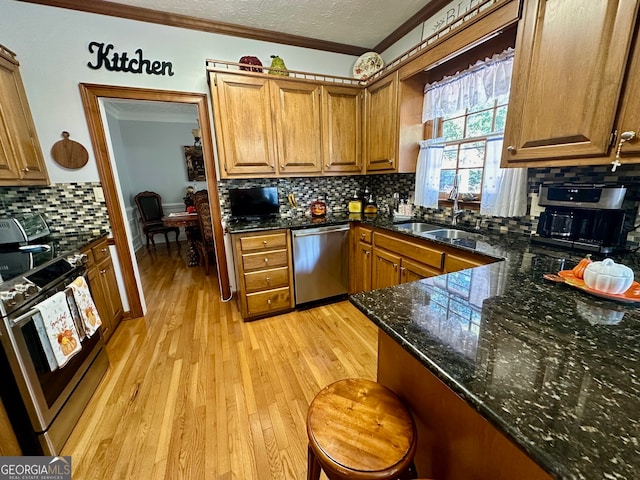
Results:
343 26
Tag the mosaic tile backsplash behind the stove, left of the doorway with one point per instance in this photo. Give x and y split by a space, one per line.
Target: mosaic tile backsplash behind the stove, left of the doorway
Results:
66 206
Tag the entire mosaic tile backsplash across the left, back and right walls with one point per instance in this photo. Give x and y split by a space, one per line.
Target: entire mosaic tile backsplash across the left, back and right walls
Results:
69 205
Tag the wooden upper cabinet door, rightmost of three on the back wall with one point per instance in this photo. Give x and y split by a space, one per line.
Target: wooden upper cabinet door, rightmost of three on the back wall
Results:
342 129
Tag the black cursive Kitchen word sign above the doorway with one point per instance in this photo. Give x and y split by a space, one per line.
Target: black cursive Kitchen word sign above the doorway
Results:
120 62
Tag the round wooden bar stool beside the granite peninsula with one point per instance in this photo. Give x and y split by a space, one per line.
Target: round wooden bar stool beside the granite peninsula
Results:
360 430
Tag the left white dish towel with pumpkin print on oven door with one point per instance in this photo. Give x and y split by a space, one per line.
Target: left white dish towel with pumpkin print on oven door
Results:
57 328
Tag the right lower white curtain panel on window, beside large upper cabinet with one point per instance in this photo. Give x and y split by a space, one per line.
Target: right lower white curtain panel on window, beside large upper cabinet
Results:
504 190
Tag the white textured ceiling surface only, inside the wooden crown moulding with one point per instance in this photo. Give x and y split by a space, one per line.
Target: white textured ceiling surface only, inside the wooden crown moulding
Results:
363 23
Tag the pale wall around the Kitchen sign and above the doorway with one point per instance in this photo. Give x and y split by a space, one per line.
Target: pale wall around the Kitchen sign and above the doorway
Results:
52 47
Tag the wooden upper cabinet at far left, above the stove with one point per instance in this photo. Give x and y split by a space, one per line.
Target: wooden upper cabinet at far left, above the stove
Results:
21 159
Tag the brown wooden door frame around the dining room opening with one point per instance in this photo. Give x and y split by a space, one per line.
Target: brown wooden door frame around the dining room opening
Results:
91 95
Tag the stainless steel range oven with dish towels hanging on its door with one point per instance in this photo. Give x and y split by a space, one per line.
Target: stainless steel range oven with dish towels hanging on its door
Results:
43 402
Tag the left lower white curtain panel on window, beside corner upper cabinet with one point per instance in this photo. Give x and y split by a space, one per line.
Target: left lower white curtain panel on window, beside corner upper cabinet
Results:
428 174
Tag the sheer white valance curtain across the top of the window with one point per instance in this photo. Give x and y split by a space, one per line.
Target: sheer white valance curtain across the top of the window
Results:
482 81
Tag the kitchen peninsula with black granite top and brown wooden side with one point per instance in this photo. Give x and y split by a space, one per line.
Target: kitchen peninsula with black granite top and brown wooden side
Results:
551 368
